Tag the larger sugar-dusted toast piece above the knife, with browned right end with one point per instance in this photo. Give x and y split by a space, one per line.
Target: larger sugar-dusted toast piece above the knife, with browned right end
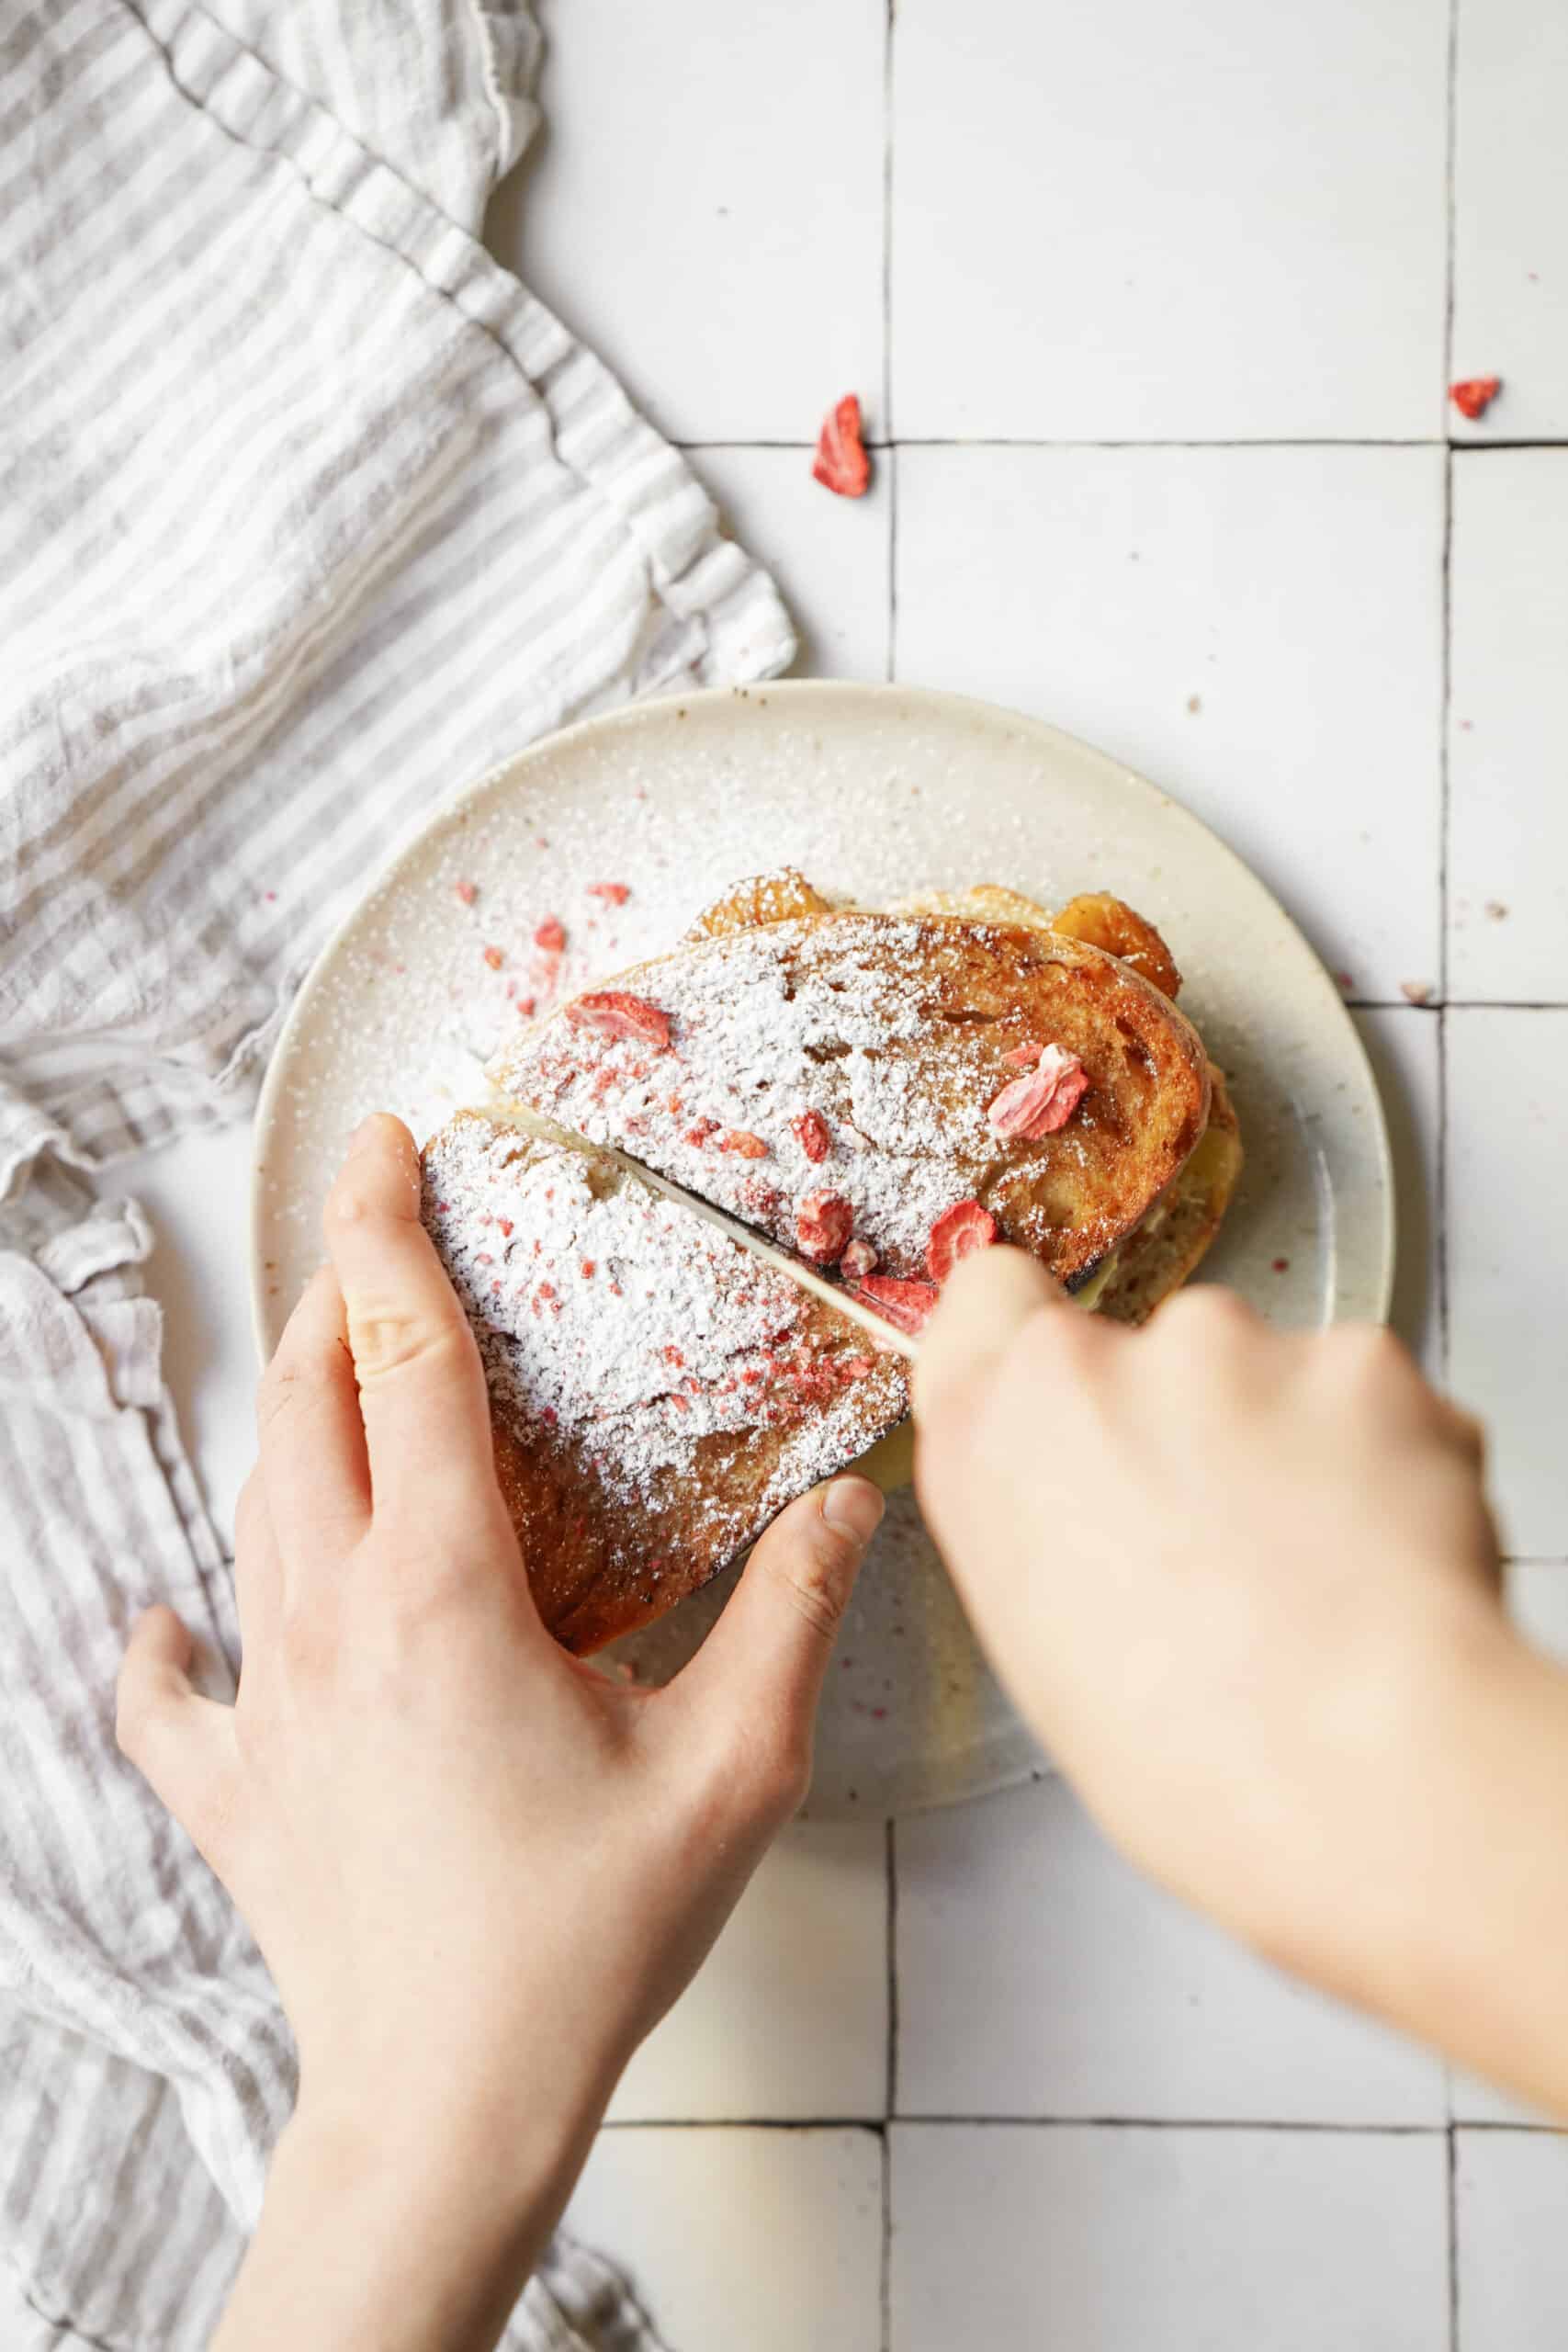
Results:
855 1057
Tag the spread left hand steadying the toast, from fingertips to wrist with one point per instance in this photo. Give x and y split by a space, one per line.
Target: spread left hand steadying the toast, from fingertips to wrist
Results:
478 1869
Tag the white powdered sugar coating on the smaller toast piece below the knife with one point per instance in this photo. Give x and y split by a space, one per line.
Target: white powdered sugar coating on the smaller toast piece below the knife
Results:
624 1325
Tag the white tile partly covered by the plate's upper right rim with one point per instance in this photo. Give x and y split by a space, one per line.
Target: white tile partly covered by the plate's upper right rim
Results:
1296 594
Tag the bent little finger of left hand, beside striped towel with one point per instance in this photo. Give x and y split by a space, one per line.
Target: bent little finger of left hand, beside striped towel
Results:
177 1739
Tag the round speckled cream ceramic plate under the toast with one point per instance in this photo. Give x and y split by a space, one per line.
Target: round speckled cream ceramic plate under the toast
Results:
871 791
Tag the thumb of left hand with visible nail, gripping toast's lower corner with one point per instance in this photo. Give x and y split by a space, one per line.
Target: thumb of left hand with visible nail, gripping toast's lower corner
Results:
768 1657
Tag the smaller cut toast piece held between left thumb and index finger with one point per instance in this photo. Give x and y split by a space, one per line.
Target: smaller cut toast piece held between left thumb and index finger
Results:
657 1391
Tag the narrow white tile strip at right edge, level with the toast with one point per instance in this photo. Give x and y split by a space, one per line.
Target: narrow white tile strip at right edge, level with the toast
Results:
1506 1321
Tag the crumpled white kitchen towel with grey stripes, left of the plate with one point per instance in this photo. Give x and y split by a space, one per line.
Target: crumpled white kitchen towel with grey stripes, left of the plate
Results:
309 514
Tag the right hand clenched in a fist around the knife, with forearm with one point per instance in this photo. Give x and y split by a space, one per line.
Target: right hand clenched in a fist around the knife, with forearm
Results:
1245 1586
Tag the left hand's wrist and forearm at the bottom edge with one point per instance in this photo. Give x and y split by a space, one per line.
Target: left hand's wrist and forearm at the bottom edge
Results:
398 2231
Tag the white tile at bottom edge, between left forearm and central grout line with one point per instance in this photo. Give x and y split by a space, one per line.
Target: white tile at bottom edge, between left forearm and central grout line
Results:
744 2240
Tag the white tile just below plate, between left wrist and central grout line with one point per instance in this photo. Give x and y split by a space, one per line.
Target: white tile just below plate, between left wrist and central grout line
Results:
789 2014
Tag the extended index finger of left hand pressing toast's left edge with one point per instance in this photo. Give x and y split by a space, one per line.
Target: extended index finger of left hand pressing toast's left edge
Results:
422 1387
